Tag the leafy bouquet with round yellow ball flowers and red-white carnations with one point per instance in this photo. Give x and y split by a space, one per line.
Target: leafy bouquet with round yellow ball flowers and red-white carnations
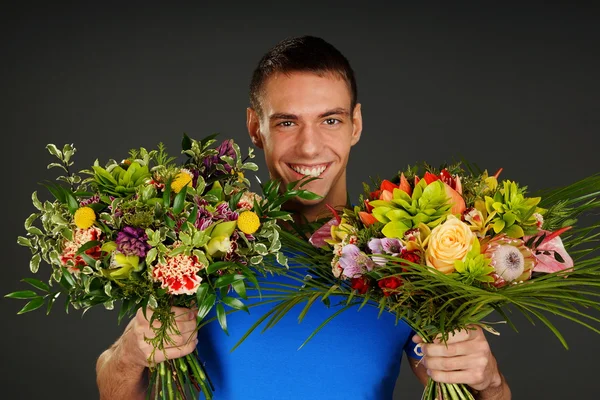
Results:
150 232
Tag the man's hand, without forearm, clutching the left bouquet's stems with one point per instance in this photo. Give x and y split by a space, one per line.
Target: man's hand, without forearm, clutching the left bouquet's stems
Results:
136 350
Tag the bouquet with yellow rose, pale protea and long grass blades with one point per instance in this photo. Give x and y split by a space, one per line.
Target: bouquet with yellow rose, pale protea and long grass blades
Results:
443 248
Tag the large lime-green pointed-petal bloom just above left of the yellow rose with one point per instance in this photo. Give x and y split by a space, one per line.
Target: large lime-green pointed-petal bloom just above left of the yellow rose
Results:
429 204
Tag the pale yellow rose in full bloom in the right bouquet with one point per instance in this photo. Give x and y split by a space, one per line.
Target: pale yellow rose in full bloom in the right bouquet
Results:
448 242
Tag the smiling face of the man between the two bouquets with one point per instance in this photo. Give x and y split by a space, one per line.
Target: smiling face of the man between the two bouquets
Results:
307 129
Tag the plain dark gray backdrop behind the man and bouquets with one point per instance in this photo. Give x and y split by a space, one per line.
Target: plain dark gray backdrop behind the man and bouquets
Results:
513 86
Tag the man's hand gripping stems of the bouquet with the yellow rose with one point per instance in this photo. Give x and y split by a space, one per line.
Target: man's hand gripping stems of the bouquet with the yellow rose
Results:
466 359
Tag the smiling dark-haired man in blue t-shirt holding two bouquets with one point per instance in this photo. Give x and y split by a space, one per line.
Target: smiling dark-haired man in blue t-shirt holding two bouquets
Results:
305 116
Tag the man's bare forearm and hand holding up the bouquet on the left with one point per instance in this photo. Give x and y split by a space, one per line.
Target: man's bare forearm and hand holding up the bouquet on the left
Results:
121 370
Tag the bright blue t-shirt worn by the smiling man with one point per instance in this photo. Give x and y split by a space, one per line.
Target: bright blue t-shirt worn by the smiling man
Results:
355 356
